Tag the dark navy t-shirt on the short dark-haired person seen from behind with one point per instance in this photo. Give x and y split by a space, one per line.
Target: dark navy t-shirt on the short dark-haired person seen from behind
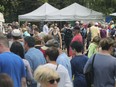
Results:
78 63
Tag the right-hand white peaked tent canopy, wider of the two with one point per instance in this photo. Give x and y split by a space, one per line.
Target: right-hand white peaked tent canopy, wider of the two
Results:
75 12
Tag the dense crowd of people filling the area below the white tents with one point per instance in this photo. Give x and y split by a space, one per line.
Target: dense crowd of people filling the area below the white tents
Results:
57 57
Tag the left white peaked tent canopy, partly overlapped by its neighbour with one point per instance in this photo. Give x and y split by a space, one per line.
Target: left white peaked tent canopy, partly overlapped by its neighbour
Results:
38 14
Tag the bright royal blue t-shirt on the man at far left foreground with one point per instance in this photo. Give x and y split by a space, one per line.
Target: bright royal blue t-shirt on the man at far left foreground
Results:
12 65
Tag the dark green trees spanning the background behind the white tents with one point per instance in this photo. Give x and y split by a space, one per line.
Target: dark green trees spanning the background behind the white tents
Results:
13 8
